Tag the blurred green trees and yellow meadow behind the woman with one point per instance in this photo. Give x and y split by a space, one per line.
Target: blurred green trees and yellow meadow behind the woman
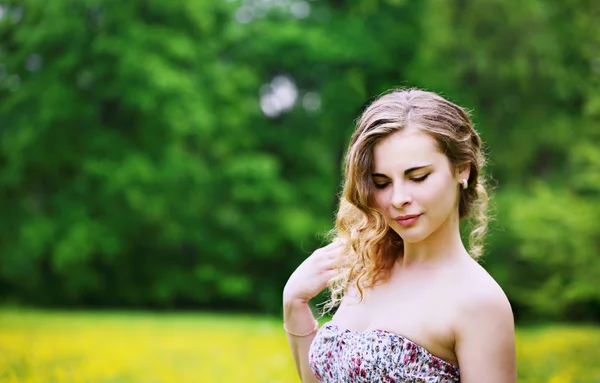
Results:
165 166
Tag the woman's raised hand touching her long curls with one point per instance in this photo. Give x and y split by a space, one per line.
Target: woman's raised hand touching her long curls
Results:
313 274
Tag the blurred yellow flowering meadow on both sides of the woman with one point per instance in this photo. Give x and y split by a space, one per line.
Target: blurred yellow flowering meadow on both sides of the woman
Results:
61 347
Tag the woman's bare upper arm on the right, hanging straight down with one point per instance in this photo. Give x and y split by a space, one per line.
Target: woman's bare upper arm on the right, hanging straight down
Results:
485 340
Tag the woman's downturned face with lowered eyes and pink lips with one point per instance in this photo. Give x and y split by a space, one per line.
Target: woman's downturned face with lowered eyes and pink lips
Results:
415 186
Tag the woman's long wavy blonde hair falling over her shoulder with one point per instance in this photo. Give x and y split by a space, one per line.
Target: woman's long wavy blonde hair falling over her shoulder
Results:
370 244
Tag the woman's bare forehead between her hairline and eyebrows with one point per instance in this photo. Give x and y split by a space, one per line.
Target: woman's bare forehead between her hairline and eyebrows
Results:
405 149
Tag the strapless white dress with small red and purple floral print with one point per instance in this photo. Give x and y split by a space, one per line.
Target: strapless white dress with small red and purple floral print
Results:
339 355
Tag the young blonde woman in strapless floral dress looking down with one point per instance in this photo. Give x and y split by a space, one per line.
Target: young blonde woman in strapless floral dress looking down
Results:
414 305
